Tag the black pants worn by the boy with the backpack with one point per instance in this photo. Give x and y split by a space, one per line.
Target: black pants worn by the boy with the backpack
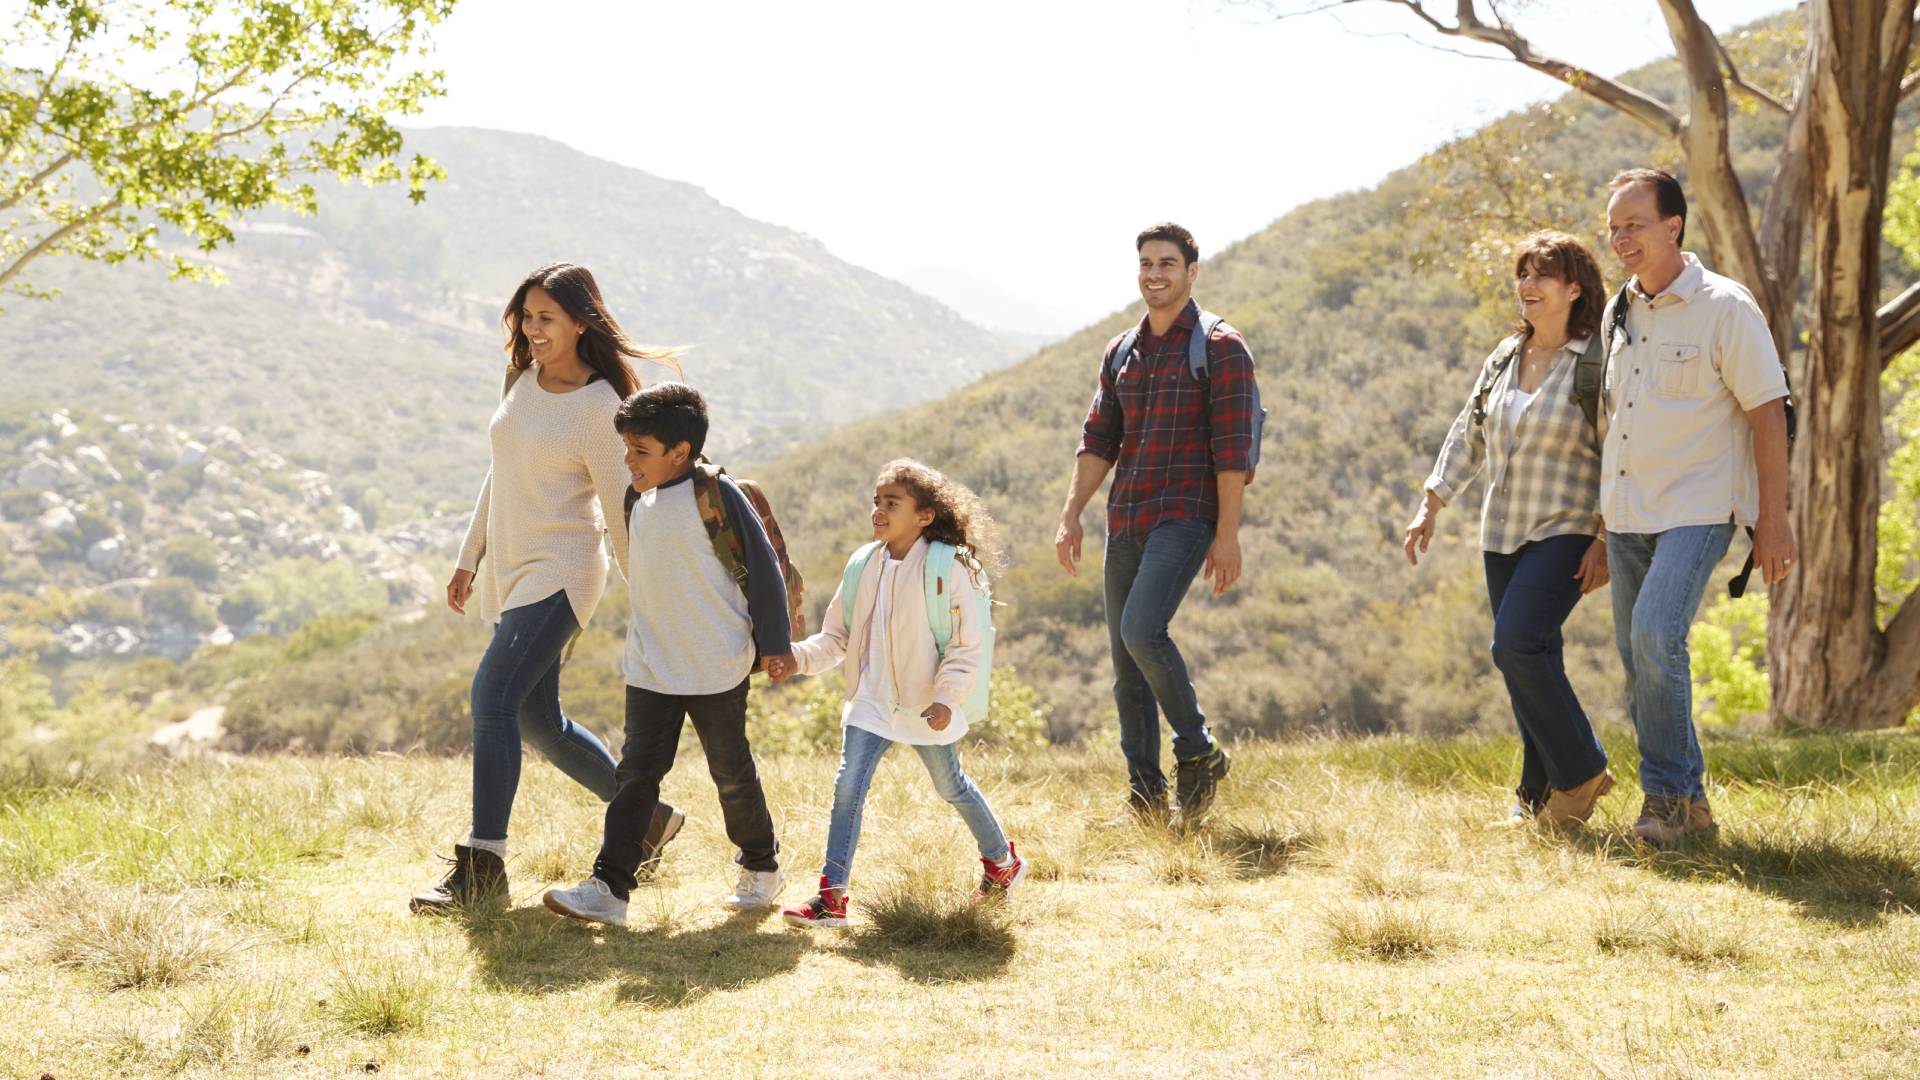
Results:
652 741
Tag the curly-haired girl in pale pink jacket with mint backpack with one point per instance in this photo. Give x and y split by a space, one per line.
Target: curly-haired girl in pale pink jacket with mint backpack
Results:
911 633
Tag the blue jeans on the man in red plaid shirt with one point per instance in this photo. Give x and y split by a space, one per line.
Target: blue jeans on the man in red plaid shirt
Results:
1145 585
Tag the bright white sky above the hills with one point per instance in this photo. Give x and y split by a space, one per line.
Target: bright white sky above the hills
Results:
1026 141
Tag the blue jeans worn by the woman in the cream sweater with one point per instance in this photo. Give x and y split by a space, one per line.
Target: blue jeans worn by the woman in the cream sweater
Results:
517 697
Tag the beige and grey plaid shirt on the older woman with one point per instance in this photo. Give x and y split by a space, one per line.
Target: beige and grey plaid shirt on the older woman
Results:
1543 478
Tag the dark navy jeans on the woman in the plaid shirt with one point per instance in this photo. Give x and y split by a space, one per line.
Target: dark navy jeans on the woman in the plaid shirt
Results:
1533 593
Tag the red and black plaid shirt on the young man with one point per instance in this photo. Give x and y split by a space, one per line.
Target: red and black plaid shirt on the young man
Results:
1166 433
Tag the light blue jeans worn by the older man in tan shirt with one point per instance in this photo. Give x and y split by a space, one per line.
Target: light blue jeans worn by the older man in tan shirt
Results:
1658 583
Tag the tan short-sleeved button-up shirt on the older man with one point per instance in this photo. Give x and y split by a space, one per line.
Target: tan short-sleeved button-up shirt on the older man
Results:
1677 447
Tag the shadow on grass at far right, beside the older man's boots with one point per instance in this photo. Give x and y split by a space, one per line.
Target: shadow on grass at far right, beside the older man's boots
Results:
1823 879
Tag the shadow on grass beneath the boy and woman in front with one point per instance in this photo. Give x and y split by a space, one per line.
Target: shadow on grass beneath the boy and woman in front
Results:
535 952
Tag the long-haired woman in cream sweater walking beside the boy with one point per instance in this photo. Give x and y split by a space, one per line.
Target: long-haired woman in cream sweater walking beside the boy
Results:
537 556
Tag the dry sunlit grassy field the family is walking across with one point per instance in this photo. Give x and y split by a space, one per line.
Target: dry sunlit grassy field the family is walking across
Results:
1347 914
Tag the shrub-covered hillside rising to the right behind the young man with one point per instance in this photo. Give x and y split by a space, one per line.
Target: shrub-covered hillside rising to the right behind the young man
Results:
1364 360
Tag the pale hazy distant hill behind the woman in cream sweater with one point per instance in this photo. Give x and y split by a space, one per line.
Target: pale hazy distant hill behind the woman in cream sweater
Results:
364 343
